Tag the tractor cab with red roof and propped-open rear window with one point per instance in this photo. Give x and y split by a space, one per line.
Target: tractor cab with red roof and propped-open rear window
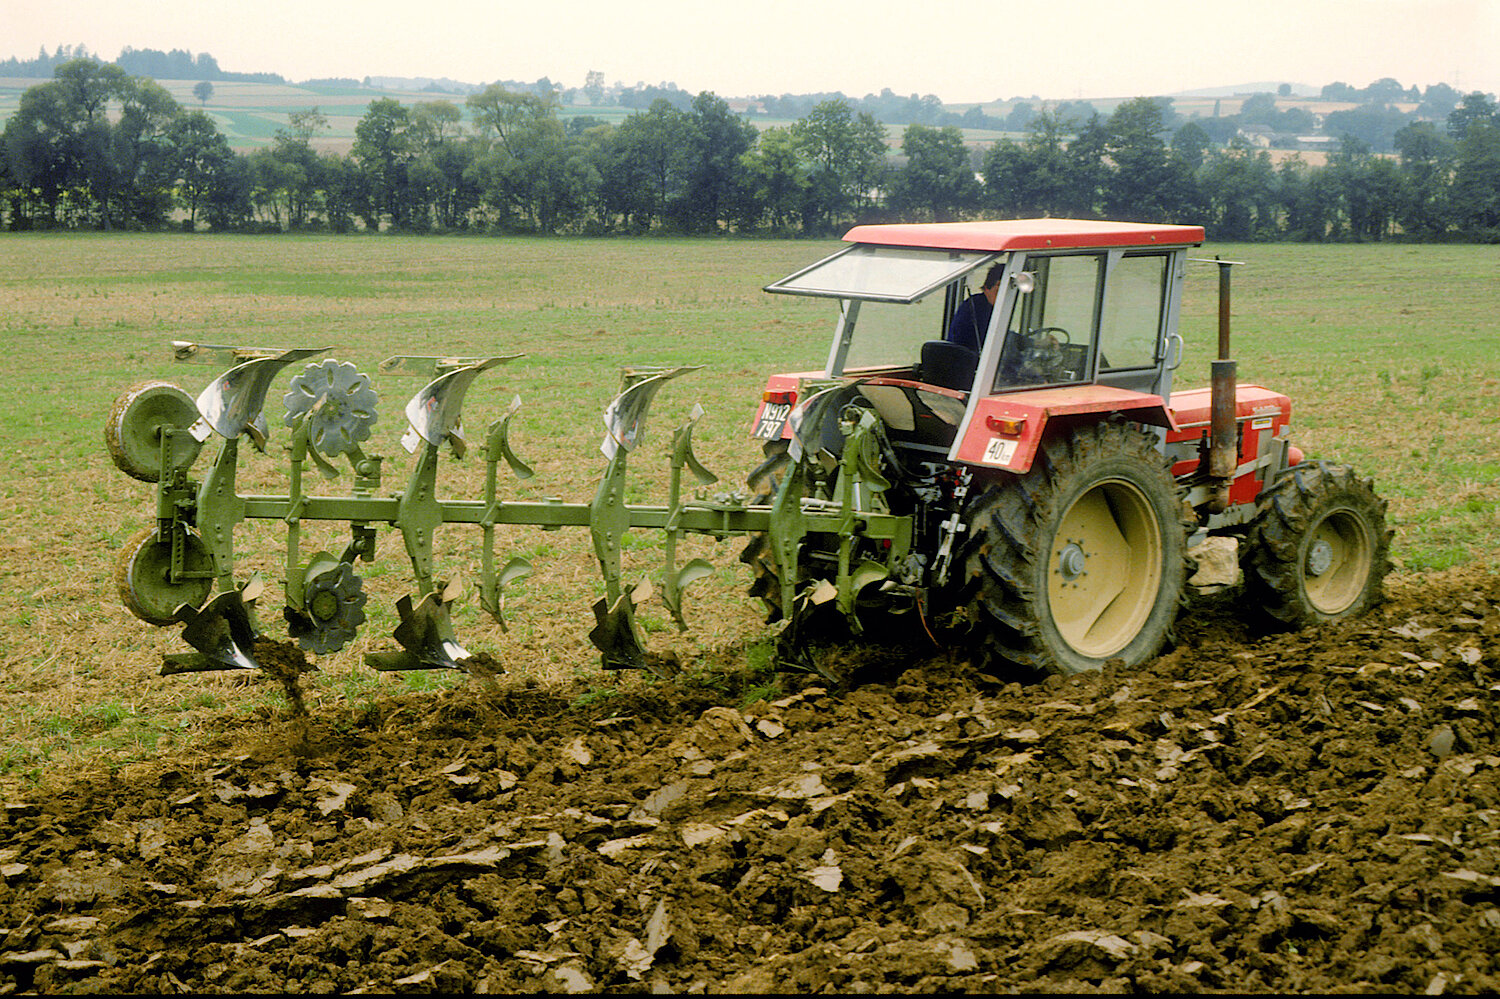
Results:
1085 316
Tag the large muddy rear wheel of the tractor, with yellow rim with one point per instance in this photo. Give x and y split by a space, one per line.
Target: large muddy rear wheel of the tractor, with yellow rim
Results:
1079 562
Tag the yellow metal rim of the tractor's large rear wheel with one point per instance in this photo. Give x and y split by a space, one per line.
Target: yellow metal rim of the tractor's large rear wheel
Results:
1105 569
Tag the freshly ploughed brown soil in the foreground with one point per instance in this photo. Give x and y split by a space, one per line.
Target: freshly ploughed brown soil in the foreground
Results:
1315 812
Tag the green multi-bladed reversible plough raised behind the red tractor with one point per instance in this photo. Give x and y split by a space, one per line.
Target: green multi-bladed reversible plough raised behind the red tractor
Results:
167 575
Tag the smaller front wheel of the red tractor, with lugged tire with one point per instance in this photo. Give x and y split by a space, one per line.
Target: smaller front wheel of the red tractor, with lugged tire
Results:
1319 550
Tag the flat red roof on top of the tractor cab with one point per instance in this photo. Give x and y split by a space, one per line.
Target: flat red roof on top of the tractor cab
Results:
1016 235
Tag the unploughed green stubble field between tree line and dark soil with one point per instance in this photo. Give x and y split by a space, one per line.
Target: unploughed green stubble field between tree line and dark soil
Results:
1390 353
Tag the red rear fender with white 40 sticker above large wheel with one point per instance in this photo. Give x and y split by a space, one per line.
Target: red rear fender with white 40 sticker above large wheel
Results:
1006 431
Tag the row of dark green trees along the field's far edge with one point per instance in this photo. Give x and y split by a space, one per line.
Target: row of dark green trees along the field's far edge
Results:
97 148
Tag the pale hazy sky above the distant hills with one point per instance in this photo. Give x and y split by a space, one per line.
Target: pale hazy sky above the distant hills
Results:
967 52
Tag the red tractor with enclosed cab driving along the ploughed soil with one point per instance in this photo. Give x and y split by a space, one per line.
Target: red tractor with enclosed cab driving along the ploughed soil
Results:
1049 485
